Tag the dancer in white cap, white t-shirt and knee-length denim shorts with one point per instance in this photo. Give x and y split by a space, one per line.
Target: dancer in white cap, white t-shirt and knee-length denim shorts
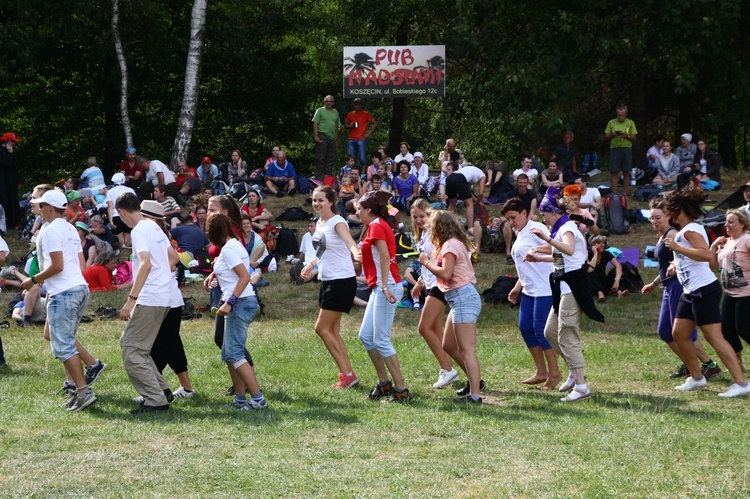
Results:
67 291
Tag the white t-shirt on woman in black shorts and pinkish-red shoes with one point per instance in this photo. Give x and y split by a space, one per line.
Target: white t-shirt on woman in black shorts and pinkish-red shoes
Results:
334 258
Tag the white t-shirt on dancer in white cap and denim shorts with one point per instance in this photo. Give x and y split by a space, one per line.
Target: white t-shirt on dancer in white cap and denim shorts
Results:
61 236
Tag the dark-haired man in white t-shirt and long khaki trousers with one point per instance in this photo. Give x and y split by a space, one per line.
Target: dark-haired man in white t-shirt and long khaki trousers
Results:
148 303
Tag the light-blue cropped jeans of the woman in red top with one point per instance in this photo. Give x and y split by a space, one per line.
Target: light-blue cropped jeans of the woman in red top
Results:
375 332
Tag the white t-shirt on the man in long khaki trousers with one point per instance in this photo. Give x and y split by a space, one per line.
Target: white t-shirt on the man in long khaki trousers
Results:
148 237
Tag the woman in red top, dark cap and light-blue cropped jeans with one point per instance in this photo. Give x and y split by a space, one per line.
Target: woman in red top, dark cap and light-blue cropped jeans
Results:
379 264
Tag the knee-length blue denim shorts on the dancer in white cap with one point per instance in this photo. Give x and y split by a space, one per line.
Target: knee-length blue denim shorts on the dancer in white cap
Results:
64 312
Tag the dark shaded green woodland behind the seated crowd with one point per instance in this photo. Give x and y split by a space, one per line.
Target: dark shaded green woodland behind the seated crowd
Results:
518 75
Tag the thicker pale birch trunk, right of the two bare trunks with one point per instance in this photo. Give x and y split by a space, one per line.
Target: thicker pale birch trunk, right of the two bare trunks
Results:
186 121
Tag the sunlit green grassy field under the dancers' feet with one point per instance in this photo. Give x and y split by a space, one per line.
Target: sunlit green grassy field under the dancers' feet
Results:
636 437
